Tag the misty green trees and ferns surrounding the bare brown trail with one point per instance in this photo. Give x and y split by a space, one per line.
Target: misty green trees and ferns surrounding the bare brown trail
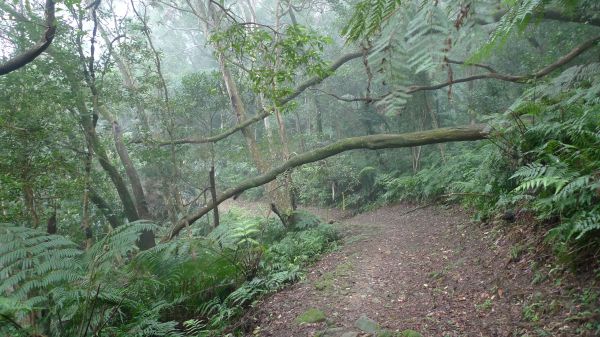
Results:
123 126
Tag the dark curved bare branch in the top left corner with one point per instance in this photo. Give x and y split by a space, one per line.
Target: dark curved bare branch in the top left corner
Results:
30 54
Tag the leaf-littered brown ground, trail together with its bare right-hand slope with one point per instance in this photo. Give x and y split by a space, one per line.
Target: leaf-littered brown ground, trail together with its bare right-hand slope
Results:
431 270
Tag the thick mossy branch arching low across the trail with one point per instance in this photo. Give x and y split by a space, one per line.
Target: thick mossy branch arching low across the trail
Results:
372 142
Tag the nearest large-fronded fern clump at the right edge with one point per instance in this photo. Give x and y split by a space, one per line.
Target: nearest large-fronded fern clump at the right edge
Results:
562 179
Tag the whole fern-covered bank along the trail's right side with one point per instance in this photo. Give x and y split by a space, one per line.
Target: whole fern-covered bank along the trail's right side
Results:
545 163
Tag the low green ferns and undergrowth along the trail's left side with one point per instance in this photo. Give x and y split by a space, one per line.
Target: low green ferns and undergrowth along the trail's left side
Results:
195 285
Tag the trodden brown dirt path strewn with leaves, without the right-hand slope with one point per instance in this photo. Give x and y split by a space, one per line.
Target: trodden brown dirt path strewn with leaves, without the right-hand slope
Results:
431 271
